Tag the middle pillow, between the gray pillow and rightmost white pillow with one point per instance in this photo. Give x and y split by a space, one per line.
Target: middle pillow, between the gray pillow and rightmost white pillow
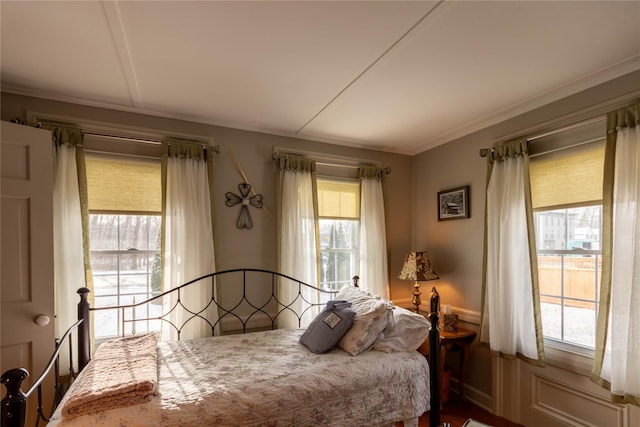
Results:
373 317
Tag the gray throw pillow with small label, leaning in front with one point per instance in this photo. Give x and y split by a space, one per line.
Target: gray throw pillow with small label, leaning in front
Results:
324 332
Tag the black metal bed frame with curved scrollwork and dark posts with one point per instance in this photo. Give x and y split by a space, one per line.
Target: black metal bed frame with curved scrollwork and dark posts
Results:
14 405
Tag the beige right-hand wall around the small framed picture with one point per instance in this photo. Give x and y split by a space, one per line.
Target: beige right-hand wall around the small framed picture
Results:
456 247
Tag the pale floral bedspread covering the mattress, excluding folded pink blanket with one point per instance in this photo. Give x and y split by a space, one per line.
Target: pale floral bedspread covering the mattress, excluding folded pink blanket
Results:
270 379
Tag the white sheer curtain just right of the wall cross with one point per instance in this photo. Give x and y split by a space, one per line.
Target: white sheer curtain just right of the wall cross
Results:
297 237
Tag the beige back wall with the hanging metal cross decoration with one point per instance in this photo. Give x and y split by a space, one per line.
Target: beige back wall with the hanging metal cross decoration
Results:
255 247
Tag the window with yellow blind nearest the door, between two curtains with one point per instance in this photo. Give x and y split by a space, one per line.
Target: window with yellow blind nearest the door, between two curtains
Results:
124 194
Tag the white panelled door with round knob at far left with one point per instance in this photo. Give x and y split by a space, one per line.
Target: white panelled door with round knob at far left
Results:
26 254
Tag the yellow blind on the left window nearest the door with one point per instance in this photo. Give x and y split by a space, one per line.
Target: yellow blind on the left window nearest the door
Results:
123 184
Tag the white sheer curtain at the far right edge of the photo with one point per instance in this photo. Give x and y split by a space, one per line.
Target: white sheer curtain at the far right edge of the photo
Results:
618 352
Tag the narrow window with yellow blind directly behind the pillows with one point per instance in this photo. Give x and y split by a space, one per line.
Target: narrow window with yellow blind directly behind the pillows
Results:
339 223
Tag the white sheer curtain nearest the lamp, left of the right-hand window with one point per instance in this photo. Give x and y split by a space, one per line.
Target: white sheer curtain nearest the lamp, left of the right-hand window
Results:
511 309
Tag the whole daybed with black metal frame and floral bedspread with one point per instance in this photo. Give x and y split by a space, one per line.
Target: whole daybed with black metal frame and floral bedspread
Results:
257 375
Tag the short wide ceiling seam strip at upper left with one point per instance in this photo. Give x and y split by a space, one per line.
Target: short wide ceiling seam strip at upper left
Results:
114 21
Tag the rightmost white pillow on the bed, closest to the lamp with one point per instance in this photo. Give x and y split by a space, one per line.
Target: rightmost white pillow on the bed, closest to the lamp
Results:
410 332
